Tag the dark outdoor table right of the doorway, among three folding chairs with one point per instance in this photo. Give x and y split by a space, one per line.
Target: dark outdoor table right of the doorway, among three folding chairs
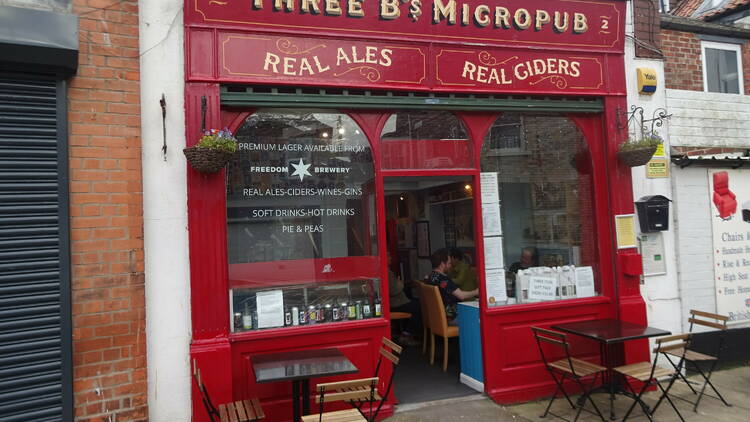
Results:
611 334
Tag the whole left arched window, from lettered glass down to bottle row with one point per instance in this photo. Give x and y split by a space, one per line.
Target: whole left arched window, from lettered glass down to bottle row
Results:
301 227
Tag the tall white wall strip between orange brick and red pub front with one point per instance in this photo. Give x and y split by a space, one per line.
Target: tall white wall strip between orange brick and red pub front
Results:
168 329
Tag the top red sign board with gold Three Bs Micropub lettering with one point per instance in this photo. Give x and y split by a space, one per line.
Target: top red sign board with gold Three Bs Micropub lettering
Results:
562 24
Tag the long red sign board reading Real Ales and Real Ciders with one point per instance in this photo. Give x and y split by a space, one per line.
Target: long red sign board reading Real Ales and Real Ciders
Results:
297 60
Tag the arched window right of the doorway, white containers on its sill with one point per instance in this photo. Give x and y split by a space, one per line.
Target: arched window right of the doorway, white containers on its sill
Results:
546 244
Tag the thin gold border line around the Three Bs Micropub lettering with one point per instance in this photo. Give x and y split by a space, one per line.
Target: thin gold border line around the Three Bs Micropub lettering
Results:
413 35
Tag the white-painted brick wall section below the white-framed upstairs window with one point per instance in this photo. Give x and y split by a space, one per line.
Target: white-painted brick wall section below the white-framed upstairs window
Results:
709 119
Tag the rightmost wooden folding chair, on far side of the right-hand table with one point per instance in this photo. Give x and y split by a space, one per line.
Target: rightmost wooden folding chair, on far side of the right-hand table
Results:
696 359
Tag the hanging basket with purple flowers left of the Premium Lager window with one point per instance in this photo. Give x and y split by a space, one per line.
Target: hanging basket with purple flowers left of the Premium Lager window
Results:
213 151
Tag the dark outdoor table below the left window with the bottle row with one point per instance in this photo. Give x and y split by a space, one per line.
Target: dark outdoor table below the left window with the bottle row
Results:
299 367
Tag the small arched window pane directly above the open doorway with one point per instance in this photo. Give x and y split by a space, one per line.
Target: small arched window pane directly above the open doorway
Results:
425 140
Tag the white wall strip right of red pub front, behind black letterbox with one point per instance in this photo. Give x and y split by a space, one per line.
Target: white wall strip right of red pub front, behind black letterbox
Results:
661 292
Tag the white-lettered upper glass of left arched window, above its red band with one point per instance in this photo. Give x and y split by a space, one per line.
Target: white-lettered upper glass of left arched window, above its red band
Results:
298 188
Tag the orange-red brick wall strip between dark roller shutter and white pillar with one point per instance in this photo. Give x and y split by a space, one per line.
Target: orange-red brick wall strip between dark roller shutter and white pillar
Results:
109 349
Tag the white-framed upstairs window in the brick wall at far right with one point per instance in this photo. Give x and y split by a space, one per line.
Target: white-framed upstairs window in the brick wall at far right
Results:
722 67
